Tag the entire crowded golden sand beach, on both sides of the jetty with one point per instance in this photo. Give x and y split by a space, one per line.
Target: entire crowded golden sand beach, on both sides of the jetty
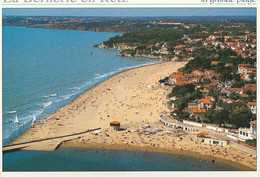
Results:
133 98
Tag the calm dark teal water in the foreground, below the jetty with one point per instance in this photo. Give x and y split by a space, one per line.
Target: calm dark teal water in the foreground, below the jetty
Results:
67 159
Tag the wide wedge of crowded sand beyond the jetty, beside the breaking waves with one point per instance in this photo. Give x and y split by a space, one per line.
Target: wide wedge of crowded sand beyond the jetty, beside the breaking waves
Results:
125 97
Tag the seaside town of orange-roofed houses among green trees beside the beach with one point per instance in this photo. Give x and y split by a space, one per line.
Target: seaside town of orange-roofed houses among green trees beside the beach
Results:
214 94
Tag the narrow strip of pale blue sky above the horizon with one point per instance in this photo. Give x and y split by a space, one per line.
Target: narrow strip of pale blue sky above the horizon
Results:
132 12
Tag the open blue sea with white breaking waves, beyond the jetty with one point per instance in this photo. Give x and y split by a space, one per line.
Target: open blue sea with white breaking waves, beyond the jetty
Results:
45 69
